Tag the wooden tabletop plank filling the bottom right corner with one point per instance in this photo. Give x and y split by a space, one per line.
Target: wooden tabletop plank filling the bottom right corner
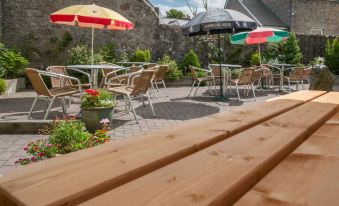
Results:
309 176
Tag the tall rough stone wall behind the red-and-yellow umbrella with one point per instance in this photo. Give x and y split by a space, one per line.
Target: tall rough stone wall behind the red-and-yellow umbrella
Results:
26 27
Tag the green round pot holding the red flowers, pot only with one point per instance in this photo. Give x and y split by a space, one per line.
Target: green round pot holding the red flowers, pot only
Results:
92 117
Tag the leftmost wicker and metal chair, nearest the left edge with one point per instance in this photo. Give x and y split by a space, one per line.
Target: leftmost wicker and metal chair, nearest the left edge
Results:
35 77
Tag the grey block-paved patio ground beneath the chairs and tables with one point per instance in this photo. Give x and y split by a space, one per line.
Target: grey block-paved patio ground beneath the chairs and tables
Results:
171 110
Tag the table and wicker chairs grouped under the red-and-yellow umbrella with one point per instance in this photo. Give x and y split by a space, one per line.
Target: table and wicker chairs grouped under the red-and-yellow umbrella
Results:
130 82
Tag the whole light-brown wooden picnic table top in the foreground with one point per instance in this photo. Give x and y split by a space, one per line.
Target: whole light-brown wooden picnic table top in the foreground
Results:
281 151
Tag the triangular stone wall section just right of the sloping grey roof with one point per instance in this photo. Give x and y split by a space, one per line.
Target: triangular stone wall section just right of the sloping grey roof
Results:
282 8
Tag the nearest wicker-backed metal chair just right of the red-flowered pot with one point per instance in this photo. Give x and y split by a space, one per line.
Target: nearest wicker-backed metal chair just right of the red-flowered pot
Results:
137 90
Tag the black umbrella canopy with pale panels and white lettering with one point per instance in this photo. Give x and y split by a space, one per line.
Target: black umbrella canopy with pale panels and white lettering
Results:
216 21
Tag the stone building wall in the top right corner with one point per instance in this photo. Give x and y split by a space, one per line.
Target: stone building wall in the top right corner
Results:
317 15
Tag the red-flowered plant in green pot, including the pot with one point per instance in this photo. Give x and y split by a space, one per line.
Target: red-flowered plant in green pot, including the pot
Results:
97 105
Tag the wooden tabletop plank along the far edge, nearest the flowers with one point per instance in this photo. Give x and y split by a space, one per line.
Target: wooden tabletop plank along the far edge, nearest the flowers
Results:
81 175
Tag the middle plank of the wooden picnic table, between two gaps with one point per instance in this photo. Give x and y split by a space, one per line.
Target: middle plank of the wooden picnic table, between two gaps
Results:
222 173
